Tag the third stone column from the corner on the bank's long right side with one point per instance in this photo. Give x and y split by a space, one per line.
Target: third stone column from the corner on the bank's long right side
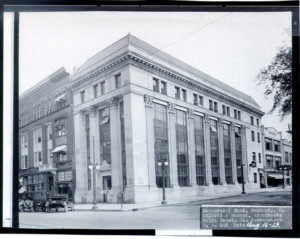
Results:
191 148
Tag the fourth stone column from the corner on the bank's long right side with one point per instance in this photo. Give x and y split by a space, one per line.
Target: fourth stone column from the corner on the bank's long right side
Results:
207 150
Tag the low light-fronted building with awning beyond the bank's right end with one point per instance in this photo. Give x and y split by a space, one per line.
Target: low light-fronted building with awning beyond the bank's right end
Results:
274 150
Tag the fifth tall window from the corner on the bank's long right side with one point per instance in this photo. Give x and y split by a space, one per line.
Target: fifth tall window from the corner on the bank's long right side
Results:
227 154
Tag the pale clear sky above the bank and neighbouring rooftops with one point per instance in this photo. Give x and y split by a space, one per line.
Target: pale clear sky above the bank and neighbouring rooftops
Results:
230 46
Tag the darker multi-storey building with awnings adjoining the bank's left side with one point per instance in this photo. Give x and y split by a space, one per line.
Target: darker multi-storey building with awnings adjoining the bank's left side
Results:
46 135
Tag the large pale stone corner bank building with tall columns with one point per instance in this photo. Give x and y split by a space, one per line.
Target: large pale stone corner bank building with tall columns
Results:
134 105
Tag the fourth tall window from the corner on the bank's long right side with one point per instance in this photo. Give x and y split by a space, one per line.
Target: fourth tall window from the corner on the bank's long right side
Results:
214 150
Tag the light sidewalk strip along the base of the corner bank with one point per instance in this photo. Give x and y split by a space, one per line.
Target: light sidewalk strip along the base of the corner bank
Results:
143 206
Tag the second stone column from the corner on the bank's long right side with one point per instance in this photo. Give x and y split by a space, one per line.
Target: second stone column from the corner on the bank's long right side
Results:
172 145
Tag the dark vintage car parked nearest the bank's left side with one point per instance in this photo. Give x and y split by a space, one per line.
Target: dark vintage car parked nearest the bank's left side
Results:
59 201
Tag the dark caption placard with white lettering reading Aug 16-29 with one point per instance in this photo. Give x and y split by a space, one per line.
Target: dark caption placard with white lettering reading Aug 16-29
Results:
223 217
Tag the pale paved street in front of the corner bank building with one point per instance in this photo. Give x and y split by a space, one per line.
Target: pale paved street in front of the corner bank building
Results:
180 216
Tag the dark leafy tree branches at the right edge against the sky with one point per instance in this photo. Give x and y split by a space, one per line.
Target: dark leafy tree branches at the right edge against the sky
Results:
277 78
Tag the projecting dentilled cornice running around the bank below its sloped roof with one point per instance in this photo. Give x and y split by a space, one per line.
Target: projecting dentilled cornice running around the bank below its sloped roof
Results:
175 76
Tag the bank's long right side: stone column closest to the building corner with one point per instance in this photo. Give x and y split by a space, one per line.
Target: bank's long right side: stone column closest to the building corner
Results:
150 141
